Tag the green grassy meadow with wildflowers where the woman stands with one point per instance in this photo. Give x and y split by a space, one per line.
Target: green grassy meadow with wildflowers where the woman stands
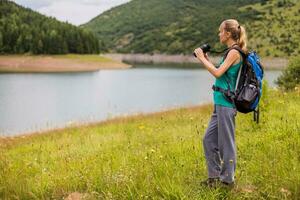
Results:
157 156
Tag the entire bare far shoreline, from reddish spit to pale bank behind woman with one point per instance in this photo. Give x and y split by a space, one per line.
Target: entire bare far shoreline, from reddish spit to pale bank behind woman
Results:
89 63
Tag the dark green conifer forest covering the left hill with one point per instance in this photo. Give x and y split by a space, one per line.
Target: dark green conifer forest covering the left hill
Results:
25 31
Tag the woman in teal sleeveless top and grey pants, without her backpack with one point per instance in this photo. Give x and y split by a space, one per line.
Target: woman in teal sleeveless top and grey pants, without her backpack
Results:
219 139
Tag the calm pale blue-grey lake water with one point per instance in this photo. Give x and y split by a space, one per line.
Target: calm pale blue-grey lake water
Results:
35 102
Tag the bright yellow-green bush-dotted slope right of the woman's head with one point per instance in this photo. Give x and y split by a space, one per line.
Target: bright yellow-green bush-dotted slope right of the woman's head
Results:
276 31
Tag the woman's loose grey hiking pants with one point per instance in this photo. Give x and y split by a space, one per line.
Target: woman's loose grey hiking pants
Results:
219 144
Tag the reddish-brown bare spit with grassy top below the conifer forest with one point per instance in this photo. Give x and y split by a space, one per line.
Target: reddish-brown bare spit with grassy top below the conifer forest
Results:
80 63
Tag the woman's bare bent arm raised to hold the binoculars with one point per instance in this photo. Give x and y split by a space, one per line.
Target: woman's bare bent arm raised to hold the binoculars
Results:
231 58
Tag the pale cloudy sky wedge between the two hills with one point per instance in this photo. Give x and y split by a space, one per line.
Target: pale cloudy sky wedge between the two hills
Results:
74 11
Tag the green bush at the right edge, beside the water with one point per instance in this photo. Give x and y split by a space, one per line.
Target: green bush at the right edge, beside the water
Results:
290 77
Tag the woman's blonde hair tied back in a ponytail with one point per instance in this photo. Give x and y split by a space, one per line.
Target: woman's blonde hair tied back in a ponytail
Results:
238 33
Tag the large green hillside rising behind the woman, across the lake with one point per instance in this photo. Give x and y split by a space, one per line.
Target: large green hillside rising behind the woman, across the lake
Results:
178 26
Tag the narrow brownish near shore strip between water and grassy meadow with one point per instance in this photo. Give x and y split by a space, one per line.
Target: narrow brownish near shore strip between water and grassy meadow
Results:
113 120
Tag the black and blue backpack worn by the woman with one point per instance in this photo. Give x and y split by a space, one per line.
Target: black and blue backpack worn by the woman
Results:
247 92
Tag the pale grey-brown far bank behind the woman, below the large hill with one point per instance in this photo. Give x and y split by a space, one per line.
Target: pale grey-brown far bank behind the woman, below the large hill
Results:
268 63
